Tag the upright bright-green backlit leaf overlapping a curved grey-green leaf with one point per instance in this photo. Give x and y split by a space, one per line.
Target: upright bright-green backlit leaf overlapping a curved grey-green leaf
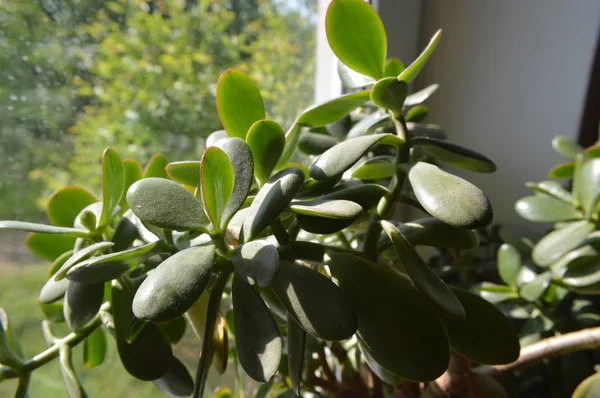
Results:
217 179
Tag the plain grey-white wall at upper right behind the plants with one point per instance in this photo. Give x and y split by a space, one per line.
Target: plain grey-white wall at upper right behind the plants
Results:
513 74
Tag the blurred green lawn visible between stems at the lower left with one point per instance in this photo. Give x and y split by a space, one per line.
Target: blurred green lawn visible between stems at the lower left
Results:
19 288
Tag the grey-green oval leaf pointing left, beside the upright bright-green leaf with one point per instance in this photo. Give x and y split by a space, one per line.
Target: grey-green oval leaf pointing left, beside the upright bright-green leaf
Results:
166 204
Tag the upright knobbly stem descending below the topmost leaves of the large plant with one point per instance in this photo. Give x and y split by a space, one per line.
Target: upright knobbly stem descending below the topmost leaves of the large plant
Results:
386 203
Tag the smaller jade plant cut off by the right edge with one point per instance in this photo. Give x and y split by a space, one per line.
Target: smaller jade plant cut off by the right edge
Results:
550 280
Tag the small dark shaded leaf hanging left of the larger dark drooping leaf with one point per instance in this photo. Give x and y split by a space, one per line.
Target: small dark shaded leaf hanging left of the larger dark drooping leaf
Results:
82 302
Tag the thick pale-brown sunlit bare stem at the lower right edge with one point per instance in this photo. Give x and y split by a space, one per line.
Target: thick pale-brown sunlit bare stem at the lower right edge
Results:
551 347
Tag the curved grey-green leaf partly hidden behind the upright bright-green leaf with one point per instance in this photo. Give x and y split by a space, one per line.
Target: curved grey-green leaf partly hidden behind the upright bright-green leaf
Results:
240 156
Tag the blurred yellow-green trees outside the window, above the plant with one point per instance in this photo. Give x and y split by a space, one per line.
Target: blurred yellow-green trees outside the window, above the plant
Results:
140 76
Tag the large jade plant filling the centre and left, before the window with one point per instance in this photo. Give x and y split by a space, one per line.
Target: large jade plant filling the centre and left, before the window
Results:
277 261
